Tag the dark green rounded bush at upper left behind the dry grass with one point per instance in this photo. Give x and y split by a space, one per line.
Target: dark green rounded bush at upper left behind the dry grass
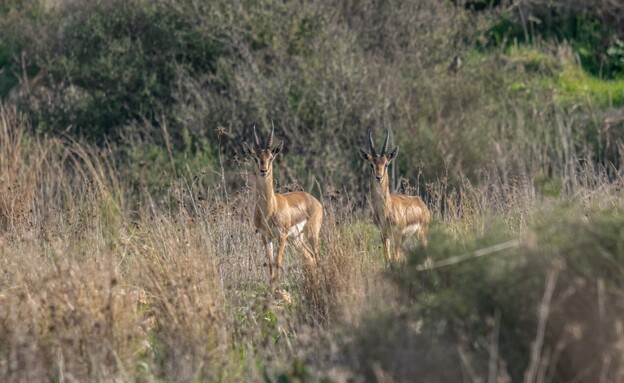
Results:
116 62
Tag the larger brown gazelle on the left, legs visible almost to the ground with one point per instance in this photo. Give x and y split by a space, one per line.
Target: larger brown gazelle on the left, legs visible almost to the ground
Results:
277 217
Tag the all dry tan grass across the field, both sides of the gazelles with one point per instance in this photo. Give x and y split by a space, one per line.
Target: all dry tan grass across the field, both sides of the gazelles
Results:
94 288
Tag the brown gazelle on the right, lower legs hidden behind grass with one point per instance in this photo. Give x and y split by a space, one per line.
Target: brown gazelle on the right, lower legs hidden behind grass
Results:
396 216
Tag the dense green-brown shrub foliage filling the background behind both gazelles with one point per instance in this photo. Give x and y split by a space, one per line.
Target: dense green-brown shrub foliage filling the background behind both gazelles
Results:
166 79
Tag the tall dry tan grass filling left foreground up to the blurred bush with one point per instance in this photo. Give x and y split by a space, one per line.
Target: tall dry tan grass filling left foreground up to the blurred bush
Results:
98 284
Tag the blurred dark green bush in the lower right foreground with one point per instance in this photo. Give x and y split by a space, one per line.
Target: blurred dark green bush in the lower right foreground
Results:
464 305
